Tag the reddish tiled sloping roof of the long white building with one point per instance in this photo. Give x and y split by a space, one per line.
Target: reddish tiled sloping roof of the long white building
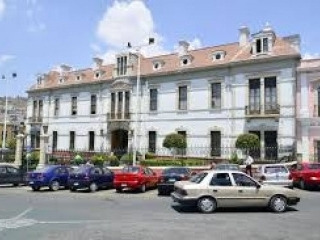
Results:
201 59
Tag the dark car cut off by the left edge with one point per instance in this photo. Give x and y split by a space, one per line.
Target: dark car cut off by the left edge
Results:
11 175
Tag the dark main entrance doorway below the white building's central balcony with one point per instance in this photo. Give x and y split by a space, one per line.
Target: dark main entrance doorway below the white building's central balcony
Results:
119 141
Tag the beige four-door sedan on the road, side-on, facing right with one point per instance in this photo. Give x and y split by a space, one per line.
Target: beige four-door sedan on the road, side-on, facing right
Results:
210 190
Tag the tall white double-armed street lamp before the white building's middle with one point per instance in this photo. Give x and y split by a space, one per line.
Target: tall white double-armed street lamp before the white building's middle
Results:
138 50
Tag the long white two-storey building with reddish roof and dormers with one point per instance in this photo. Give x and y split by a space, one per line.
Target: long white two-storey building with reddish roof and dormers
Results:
210 95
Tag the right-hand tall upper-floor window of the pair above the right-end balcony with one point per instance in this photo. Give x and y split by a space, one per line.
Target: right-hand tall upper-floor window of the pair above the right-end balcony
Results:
270 85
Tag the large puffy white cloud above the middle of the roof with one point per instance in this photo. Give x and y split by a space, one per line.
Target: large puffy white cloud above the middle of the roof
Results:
128 21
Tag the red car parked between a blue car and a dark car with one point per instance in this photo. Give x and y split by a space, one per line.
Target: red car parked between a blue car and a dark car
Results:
135 178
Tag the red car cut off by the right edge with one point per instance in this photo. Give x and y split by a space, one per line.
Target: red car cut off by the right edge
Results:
306 175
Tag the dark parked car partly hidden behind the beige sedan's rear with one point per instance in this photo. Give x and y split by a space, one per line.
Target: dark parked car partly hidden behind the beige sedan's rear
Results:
169 176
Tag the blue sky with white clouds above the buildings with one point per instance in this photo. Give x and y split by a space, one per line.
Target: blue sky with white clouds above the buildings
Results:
38 35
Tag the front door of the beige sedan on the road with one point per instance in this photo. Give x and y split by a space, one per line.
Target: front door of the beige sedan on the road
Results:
248 193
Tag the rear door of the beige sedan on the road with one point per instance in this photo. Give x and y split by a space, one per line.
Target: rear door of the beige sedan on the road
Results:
221 188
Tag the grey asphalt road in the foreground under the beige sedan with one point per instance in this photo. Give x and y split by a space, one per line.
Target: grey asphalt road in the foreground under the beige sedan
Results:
108 215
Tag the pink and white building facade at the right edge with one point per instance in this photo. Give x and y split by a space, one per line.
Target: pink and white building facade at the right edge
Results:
308 110
